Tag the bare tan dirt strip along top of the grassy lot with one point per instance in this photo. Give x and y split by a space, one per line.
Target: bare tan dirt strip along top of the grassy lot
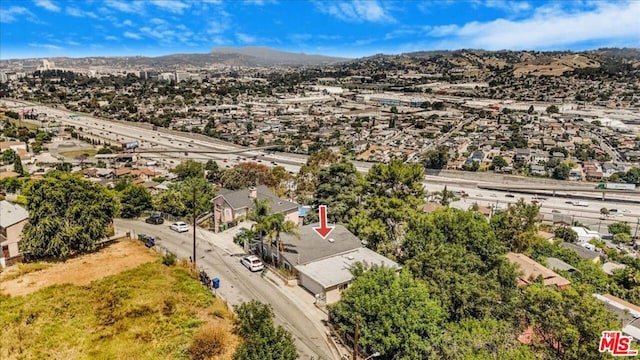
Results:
113 259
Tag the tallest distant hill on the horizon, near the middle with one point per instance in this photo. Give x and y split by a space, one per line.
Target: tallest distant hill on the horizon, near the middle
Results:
268 56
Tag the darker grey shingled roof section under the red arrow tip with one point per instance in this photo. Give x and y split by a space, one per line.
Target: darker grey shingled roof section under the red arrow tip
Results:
311 247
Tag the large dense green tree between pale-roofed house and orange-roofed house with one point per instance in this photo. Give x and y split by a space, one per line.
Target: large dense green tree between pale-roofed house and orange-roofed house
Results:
457 254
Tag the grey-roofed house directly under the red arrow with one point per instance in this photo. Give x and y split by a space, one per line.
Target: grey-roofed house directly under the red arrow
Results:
323 265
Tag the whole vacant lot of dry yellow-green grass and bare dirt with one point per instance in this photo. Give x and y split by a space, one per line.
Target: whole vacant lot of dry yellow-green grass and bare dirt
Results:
118 303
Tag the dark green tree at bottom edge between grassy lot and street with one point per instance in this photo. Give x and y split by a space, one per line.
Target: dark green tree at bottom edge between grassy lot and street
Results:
262 339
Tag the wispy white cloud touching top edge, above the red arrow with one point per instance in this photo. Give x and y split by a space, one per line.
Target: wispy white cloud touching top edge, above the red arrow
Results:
356 11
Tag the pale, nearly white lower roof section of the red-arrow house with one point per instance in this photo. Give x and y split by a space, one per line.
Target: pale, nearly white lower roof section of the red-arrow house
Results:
336 270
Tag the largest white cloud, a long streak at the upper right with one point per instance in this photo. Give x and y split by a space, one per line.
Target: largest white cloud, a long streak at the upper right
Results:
549 27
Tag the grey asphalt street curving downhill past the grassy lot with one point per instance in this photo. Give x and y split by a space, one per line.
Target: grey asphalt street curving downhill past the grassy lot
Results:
238 284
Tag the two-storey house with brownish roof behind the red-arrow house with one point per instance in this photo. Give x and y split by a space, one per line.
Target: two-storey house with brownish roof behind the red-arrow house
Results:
234 205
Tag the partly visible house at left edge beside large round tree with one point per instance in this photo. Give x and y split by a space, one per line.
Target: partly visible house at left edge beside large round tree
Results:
12 219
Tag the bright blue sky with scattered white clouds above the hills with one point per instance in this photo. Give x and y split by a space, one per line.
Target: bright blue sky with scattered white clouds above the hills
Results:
76 28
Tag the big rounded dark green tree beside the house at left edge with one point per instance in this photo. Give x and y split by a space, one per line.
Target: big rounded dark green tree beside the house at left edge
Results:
67 215
